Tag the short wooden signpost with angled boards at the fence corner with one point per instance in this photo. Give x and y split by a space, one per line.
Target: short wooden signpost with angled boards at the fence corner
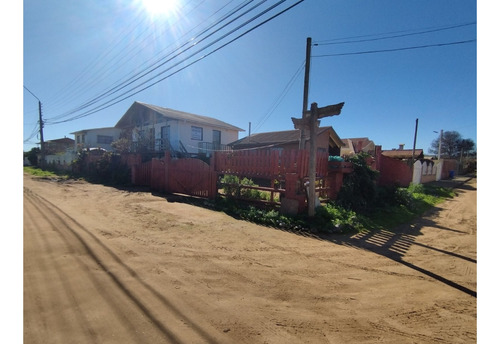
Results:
311 122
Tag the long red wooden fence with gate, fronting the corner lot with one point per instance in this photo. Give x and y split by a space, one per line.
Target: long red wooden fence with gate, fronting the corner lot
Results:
197 178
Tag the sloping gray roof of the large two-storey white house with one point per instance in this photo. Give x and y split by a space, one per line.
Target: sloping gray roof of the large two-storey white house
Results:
126 119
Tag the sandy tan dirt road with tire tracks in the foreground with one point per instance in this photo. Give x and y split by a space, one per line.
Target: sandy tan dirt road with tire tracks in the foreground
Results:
104 265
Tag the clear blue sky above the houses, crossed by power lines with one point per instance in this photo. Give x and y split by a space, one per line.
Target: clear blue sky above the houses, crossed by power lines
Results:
391 62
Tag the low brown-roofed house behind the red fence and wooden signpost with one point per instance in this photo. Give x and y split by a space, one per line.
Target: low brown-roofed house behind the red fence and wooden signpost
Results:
327 140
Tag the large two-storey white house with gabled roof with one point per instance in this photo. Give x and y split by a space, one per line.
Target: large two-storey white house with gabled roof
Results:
160 129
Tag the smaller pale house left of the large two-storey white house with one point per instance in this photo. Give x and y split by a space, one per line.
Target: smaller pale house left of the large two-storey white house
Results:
96 138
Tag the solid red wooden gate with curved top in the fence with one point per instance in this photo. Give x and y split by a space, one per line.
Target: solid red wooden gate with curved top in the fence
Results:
191 177
